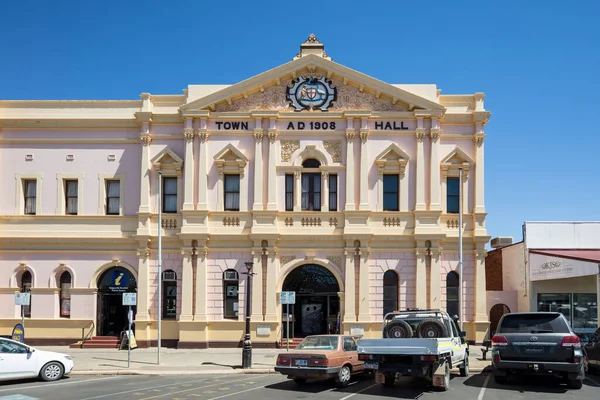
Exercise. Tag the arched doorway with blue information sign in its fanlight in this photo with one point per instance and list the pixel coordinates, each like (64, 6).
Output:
(112, 314)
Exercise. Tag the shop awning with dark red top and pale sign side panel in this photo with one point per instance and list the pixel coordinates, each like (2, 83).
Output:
(558, 264)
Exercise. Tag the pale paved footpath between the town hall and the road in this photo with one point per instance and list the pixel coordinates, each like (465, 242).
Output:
(186, 362)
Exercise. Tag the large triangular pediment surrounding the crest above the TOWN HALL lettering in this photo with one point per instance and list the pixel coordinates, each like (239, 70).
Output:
(354, 90)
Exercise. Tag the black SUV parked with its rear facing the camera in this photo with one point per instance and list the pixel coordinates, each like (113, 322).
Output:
(537, 343)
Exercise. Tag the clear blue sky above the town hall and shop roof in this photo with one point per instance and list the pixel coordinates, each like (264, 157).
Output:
(537, 62)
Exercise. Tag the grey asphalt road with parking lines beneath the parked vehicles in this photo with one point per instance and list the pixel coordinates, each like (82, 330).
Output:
(277, 387)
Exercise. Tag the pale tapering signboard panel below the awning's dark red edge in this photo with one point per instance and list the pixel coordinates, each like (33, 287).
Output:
(543, 267)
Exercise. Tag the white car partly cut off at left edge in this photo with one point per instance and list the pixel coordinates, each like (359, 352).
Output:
(21, 361)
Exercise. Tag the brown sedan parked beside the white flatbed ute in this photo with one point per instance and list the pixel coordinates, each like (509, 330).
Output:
(321, 356)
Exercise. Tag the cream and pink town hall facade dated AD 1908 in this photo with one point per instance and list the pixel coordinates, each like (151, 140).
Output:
(323, 177)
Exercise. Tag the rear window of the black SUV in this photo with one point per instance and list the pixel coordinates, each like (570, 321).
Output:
(533, 323)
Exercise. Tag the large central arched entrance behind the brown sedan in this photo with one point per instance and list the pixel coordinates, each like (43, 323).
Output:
(317, 305)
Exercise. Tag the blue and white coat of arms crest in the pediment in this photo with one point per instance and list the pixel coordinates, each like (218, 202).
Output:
(311, 93)
